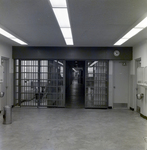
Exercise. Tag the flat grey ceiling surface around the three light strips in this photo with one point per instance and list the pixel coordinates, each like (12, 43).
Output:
(93, 22)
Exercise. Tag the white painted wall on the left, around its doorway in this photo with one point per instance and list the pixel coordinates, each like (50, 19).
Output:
(6, 51)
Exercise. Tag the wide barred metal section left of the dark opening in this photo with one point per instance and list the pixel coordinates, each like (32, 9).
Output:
(39, 83)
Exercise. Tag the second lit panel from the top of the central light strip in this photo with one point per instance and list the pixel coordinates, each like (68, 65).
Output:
(62, 17)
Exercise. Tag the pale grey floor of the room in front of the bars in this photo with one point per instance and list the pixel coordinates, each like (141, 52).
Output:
(73, 129)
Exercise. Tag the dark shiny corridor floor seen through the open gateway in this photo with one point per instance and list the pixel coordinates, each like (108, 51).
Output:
(75, 95)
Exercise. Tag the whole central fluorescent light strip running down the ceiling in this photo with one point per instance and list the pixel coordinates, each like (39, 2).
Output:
(61, 13)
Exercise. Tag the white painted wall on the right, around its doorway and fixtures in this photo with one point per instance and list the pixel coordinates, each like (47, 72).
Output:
(139, 51)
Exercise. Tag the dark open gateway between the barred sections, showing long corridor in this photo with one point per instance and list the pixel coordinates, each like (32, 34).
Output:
(75, 84)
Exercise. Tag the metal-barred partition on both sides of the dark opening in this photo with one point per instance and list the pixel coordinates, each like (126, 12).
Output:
(41, 83)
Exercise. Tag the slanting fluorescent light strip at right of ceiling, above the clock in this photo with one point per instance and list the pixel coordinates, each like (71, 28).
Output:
(139, 27)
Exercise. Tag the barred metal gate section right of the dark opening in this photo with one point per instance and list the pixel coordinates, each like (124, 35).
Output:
(96, 81)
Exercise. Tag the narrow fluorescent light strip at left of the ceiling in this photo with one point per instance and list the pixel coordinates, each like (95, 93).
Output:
(11, 37)
